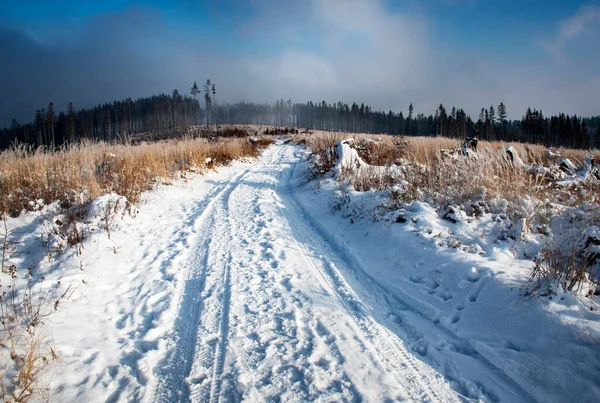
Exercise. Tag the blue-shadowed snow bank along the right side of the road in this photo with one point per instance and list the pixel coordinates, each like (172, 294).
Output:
(455, 288)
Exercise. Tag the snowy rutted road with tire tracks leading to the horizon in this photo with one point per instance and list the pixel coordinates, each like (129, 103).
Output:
(266, 314)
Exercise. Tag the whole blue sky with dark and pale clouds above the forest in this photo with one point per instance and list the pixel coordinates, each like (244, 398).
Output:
(386, 53)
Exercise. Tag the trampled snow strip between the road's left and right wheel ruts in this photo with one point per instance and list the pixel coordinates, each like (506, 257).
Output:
(283, 351)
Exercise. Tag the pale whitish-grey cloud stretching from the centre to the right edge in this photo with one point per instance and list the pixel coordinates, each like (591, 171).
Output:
(389, 59)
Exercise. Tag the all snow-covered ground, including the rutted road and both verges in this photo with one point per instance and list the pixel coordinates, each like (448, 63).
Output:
(252, 283)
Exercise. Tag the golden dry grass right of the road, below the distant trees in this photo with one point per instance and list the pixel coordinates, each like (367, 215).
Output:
(444, 181)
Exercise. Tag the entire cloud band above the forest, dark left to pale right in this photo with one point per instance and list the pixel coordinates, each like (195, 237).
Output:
(332, 50)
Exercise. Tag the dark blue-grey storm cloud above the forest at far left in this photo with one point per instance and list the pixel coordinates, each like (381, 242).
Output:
(105, 61)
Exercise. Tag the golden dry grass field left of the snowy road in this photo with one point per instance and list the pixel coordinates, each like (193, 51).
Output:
(77, 174)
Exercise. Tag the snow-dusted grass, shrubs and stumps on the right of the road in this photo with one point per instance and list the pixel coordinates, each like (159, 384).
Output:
(526, 189)
